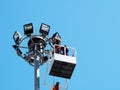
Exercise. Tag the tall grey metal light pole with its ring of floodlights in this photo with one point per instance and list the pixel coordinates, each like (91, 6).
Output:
(35, 54)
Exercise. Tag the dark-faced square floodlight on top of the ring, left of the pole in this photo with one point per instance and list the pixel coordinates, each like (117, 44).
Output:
(28, 29)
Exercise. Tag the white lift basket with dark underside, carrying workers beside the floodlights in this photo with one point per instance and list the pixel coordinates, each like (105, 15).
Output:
(63, 64)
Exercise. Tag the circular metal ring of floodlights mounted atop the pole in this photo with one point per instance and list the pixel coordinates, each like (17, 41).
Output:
(36, 43)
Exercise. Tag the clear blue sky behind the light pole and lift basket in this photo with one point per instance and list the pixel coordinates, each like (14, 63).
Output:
(90, 26)
